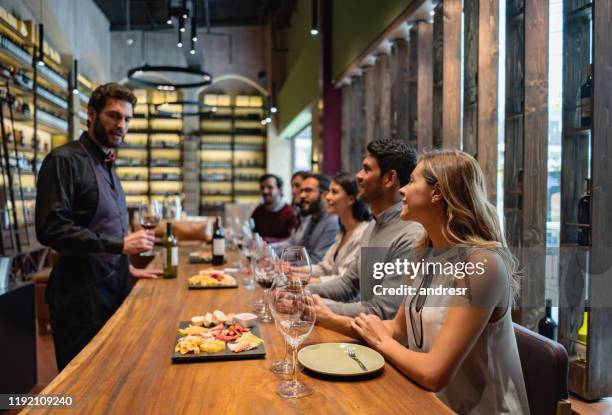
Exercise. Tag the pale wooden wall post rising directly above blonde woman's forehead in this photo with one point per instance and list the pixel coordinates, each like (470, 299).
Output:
(451, 88)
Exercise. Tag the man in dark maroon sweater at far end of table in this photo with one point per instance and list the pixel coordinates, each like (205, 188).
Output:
(274, 219)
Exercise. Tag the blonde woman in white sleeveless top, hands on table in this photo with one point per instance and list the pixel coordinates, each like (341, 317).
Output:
(460, 346)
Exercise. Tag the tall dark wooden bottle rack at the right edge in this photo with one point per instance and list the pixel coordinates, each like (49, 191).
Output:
(585, 218)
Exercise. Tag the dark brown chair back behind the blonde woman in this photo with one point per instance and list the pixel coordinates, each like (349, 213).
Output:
(545, 369)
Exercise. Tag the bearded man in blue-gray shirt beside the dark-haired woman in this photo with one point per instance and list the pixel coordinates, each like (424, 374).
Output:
(318, 229)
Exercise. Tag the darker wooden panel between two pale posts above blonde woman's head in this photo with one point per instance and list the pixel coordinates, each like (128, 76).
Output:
(470, 77)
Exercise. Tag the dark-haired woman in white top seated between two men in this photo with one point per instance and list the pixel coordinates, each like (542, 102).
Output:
(354, 218)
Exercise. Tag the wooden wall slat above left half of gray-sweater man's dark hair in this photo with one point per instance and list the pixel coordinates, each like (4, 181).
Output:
(382, 94)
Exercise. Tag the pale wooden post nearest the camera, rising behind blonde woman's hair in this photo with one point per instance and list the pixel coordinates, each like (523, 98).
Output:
(488, 80)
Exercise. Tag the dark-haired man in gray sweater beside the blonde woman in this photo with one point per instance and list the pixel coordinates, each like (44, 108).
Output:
(385, 169)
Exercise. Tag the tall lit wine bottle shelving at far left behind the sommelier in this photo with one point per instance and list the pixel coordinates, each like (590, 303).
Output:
(38, 116)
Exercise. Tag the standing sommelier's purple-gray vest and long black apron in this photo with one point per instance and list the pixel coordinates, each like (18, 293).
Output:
(85, 289)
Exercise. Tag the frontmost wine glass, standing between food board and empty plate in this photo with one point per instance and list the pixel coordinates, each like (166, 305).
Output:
(295, 313)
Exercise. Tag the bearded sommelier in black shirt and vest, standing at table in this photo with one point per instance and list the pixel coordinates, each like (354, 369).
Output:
(81, 213)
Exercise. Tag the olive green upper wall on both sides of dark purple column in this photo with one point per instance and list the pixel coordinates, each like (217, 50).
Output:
(355, 25)
